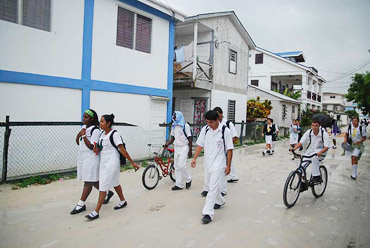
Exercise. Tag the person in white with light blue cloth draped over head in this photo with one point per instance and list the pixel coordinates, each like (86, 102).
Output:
(182, 139)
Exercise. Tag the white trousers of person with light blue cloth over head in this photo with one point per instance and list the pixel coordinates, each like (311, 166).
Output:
(181, 171)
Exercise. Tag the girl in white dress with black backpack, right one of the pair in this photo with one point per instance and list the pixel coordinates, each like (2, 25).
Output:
(110, 164)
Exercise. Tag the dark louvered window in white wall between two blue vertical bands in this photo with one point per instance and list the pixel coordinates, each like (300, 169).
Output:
(134, 31)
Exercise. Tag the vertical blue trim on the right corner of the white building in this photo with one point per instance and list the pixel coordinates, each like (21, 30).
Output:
(171, 51)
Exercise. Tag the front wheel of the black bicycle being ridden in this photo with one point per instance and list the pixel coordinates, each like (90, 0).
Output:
(292, 189)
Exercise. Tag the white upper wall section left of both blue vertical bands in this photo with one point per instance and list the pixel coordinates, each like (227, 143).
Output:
(55, 53)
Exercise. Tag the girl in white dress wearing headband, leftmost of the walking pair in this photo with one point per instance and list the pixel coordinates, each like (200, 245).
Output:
(88, 161)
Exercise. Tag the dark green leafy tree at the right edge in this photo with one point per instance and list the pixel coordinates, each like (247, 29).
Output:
(359, 92)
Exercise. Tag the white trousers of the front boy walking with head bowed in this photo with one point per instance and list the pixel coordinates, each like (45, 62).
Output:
(214, 193)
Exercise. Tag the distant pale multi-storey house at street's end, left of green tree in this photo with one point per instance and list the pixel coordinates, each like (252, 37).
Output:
(334, 104)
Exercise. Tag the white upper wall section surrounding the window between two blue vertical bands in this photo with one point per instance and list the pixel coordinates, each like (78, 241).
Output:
(117, 64)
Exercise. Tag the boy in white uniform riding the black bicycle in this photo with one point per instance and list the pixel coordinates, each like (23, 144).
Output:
(319, 143)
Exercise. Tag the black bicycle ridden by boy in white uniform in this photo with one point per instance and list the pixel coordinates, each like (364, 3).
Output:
(297, 181)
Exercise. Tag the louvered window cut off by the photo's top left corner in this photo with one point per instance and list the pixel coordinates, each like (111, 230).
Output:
(31, 13)
